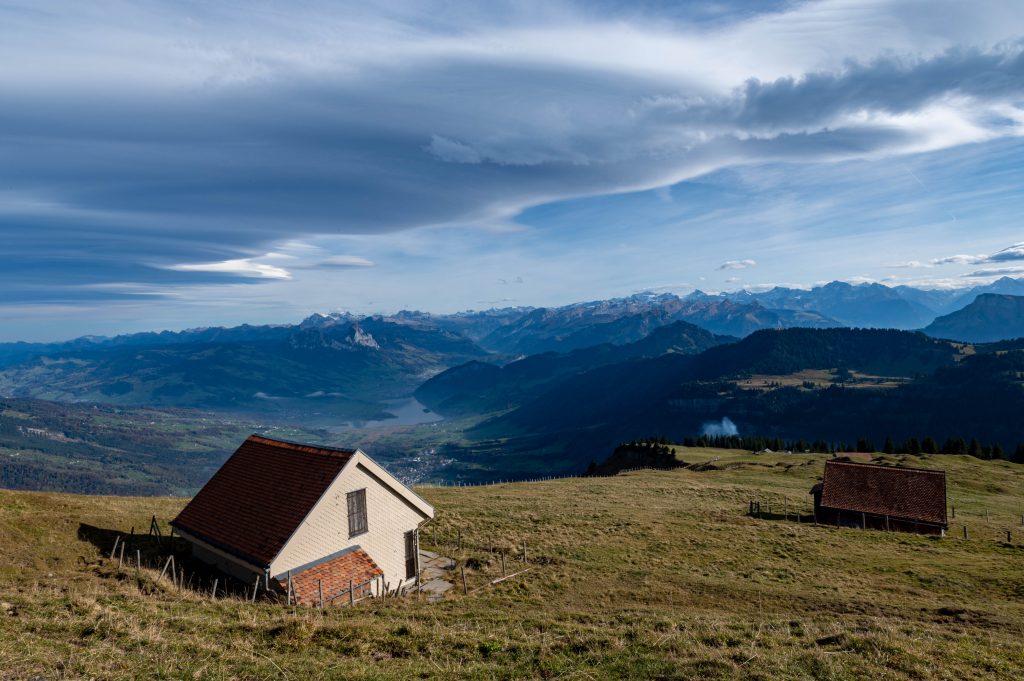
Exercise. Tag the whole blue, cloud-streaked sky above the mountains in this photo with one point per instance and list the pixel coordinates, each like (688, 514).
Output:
(178, 164)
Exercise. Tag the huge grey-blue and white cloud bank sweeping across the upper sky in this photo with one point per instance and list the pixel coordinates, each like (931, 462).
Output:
(166, 143)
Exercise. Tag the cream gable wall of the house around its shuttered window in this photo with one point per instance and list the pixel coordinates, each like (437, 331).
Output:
(325, 532)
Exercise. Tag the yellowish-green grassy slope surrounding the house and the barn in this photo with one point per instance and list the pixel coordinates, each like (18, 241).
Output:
(645, 575)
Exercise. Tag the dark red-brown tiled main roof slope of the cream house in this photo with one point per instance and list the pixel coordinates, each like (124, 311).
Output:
(260, 497)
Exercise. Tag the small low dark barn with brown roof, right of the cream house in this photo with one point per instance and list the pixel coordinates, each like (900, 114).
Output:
(862, 495)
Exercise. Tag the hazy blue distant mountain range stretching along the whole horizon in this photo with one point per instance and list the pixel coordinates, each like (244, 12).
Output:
(345, 367)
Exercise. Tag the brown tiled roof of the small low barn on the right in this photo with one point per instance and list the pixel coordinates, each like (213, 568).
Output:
(912, 494)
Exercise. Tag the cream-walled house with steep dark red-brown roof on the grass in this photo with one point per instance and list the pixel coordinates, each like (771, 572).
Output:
(321, 517)
